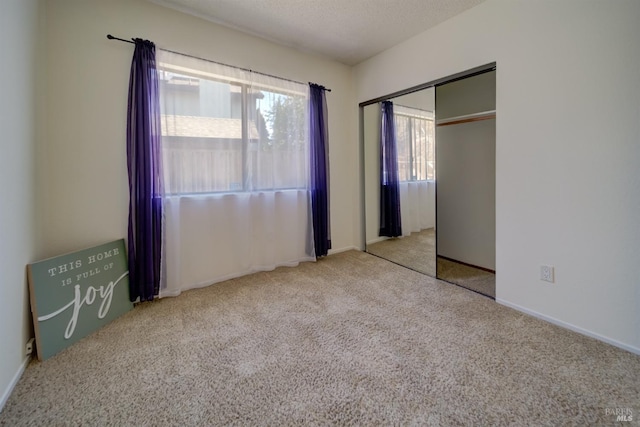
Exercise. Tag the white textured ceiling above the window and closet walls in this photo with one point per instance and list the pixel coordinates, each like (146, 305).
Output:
(348, 31)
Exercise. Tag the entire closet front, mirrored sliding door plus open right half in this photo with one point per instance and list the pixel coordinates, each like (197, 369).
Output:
(446, 232)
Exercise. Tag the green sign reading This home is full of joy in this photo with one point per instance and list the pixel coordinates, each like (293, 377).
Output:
(73, 295)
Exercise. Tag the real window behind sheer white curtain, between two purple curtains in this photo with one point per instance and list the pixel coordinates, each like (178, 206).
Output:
(229, 130)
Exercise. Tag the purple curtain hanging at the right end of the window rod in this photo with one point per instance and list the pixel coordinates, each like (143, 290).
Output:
(319, 147)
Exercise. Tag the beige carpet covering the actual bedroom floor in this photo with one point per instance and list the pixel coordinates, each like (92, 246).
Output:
(349, 340)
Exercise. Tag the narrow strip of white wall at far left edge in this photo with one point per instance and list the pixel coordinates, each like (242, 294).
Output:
(18, 231)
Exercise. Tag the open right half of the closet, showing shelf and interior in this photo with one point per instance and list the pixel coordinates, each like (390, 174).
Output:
(466, 177)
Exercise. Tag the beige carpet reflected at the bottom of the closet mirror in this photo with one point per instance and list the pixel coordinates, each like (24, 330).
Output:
(416, 251)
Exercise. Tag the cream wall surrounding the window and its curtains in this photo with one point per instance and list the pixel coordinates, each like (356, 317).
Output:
(85, 181)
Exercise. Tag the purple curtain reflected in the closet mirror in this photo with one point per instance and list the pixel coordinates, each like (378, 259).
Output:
(390, 224)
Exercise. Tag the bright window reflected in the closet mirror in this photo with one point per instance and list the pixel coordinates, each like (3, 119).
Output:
(415, 140)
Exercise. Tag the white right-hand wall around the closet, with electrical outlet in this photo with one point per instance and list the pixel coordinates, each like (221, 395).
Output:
(567, 177)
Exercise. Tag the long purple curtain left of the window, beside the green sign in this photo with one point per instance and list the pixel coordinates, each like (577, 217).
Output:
(145, 177)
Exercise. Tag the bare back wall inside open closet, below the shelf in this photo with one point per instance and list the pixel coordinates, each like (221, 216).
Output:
(466, 165)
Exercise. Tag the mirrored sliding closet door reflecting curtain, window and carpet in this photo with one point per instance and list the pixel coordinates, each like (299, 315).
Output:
(414, 122)
